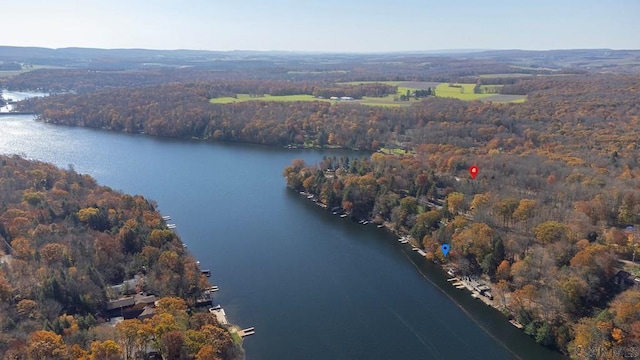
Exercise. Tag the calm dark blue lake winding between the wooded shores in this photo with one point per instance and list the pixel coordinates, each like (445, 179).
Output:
(315, 286)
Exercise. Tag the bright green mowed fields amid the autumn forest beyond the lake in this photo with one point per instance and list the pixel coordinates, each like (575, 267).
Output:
(443, 90)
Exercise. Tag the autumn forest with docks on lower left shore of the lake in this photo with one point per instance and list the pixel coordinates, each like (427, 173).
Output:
(65, 241)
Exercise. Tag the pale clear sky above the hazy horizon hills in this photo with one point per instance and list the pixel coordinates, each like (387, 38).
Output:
(323, 25)
